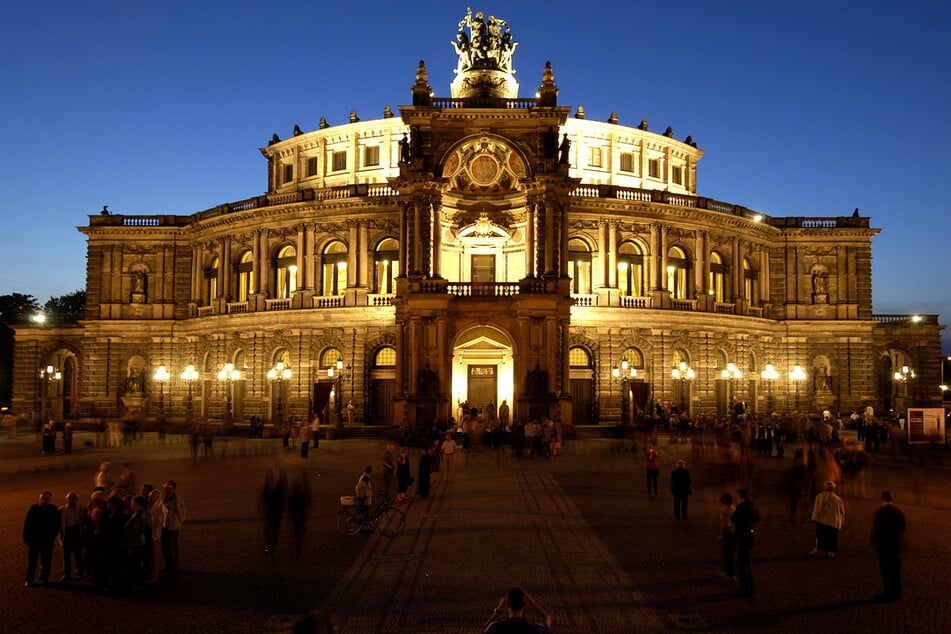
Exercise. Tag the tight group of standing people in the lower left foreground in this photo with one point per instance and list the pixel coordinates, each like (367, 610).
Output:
(120, 540)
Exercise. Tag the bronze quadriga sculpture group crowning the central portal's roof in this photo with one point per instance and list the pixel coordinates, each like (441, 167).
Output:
(487, 45)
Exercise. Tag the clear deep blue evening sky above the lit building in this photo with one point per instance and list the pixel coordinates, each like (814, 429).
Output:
(804, 108)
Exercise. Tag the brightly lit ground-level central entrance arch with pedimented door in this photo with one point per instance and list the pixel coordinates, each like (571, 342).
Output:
(482, 369)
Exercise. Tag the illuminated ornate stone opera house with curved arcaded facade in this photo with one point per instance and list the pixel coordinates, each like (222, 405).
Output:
(472, 250)
